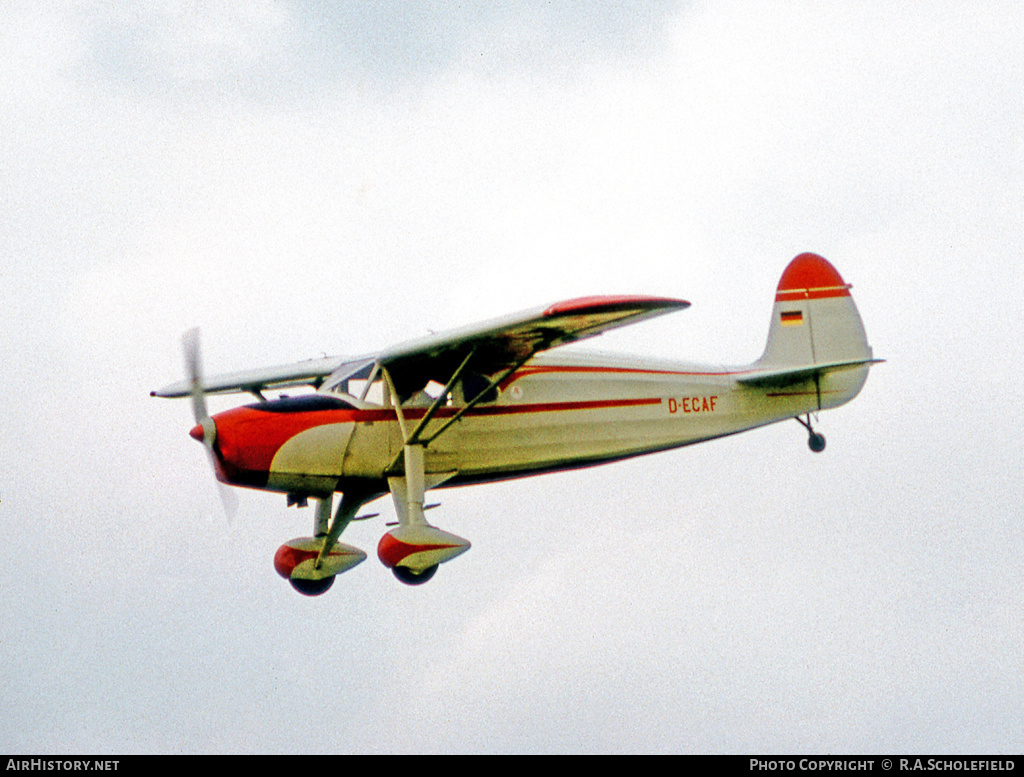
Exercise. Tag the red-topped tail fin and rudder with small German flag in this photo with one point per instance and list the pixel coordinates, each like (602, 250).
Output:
(817, 336)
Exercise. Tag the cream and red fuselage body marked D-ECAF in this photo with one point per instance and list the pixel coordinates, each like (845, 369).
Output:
(559, 411)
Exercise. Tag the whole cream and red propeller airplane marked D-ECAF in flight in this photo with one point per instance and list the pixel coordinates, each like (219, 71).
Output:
(498, 401)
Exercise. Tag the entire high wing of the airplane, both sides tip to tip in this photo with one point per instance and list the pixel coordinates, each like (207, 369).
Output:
(494, 347)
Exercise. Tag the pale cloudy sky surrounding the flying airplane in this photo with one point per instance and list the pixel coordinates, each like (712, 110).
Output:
(302, 180)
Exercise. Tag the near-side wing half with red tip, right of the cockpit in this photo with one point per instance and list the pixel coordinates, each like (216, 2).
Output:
(503, 344)
